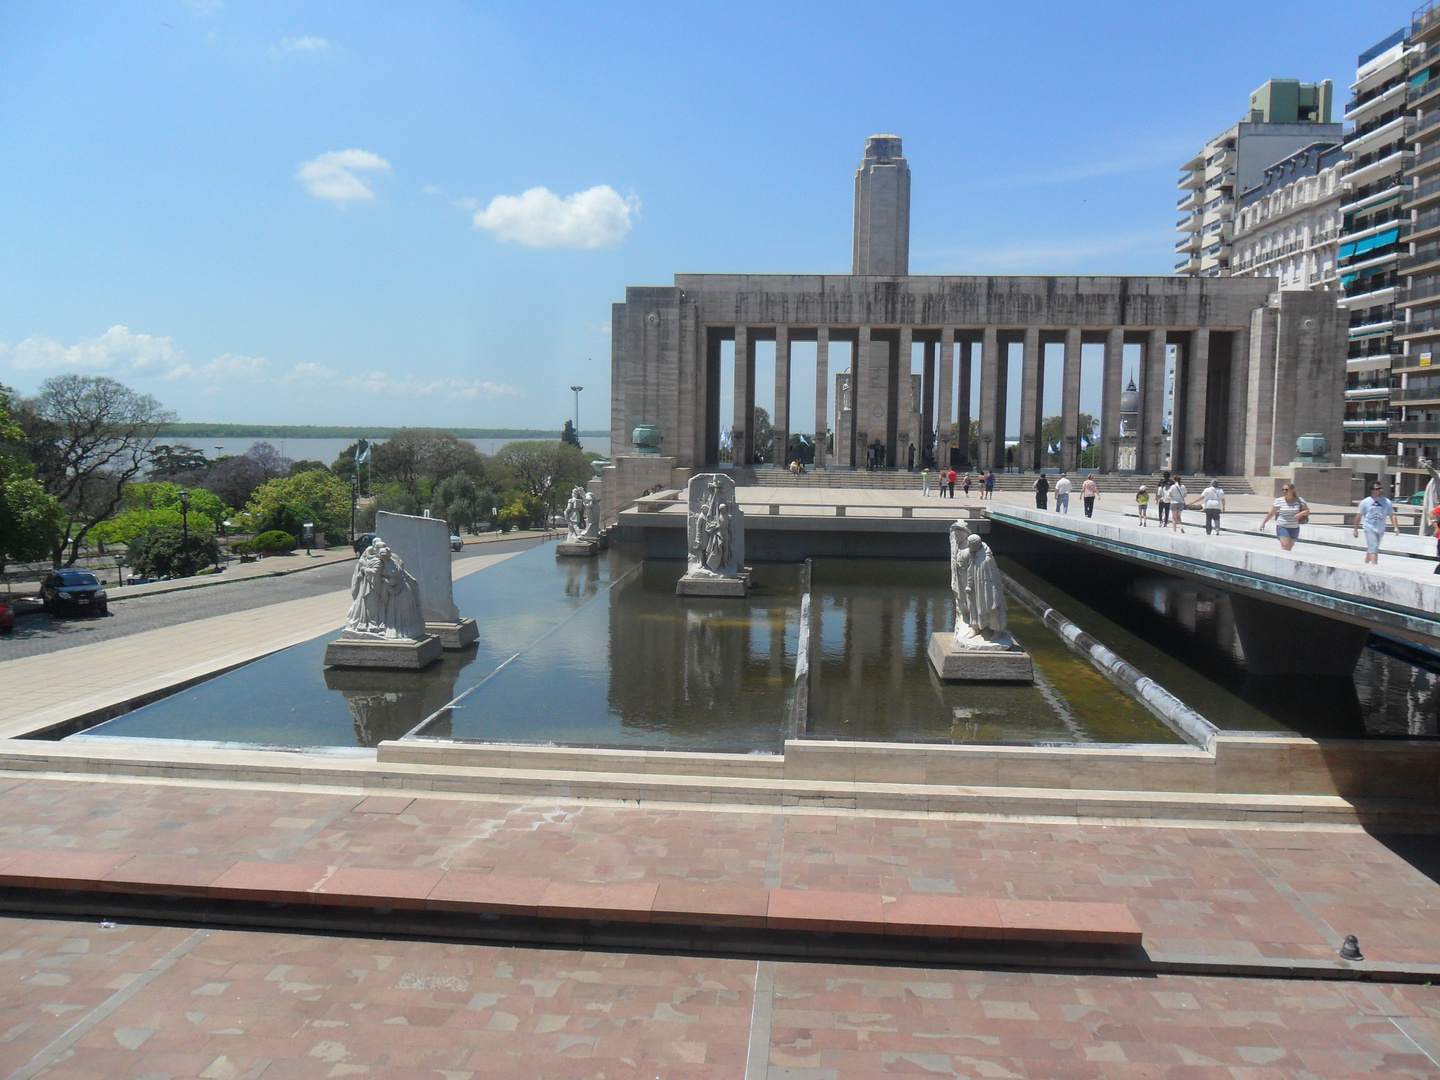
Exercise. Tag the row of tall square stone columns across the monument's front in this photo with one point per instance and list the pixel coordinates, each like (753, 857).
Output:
(882, 364)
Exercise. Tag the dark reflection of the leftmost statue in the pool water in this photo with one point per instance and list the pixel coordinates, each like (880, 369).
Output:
(387, 705)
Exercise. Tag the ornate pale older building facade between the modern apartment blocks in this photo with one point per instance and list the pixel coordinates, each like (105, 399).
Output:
(1290, 224)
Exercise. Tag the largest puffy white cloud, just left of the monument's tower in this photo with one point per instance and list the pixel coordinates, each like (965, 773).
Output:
(539, 218)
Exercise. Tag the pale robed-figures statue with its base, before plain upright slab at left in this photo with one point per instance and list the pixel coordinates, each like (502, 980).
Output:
(385, 626)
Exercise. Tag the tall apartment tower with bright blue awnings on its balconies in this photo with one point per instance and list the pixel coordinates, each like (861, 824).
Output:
(1372, 244)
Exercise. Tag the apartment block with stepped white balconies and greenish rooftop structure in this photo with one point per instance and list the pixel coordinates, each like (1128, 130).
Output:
(1285, 116)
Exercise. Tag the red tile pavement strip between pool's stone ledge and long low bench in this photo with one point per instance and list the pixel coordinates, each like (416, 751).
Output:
(1223, 894)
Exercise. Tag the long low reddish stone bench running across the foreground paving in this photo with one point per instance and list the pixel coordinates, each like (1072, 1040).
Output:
(541, 898)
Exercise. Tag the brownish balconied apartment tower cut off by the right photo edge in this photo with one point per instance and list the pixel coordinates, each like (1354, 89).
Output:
(1415, 378)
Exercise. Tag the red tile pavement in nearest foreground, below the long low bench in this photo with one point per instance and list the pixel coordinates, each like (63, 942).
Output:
(241, 1004)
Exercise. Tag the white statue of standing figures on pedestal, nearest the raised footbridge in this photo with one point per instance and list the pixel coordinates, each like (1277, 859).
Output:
(980, 649)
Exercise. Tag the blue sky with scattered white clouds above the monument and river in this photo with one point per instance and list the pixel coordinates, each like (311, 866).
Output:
(319, 212)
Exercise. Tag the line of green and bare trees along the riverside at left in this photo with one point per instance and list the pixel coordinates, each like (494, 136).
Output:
(83, 467)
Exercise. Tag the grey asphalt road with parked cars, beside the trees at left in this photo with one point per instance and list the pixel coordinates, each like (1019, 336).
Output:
(40, 633)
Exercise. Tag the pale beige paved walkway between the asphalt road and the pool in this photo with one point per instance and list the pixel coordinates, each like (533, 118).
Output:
(96, 680)
